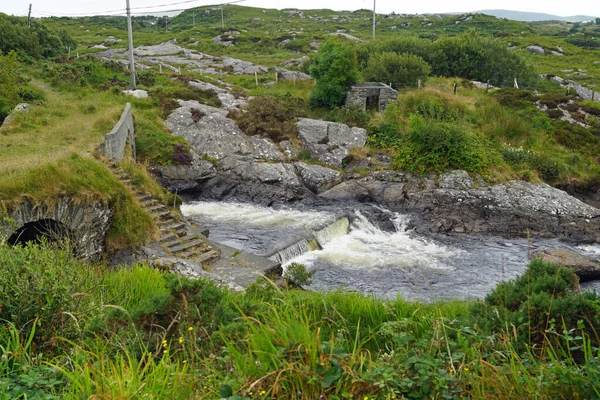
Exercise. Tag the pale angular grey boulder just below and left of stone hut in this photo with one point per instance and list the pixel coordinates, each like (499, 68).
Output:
(329, 142)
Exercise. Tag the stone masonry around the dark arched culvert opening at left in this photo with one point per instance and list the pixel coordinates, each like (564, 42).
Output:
(85, 225)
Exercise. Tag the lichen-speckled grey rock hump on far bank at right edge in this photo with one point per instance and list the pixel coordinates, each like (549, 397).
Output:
(515, 208)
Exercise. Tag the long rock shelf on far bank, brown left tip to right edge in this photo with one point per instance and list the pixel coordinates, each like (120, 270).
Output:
(457, 203)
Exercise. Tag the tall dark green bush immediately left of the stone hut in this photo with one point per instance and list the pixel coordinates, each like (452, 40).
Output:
(334, 69)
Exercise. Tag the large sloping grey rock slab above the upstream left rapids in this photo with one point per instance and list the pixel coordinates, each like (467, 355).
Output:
(240, 171)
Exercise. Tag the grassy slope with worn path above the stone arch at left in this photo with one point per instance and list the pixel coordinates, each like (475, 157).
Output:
(50, 150)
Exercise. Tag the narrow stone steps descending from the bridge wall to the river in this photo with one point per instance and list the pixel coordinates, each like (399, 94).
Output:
(175, 236)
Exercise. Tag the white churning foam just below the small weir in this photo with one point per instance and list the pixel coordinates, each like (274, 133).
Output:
(367, 246)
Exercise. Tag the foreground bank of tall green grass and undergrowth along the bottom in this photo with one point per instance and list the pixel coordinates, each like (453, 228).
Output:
(138, 332)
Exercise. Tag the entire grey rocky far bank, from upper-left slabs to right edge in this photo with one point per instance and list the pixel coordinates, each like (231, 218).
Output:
(229, 165)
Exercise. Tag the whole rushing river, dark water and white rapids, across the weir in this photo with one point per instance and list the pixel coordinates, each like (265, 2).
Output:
(369, 260)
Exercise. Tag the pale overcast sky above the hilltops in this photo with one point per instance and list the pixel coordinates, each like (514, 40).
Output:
(77, 7)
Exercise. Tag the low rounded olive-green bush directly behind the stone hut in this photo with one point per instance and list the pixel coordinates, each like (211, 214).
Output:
(401, 70)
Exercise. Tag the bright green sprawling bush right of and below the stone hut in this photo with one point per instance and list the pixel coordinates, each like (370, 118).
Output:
(438, 146)
